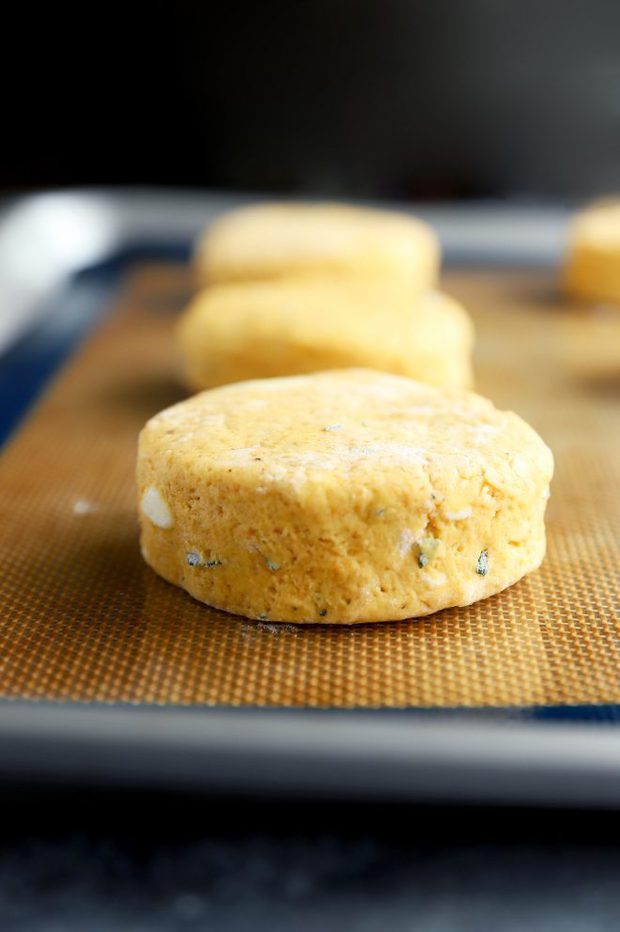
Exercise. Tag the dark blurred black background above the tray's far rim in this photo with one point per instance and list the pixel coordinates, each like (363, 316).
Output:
(412, 99)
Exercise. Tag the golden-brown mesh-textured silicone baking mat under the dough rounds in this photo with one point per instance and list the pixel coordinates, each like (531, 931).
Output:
(82, 618)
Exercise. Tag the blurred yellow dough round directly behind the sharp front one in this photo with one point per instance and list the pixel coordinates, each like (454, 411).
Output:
(259, 330)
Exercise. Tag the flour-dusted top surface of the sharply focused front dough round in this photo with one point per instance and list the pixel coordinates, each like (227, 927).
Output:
(352, 425)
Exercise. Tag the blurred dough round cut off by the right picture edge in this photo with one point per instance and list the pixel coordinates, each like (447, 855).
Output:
(592, 271)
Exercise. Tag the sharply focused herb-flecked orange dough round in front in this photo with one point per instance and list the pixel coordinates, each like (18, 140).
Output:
(341, 497)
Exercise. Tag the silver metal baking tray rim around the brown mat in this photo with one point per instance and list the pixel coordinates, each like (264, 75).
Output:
(537, 755)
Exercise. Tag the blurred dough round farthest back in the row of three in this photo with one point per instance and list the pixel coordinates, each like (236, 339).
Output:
(282, 240)
